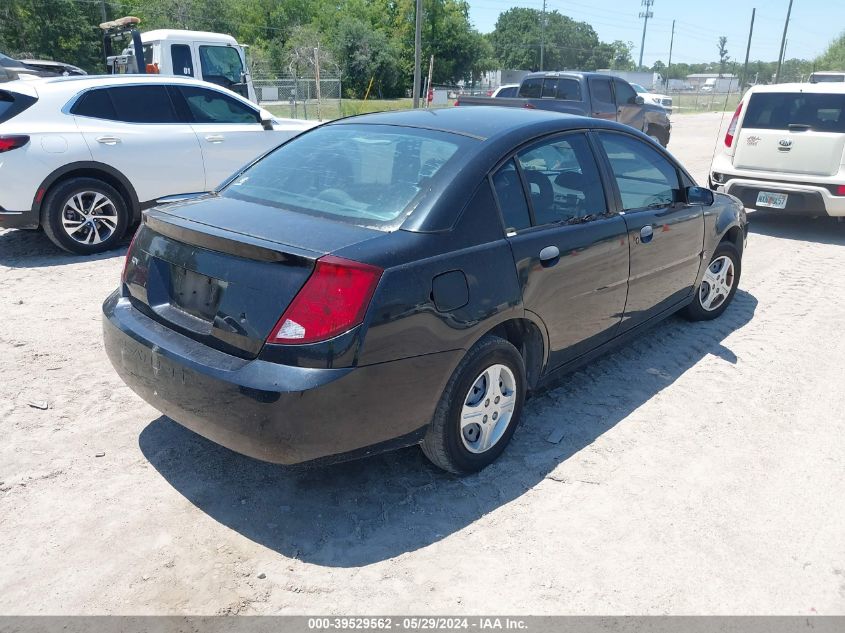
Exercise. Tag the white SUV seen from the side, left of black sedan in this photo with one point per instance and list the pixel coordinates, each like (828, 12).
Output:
(83, 156)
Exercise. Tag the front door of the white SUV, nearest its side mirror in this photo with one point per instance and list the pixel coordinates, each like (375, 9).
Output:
(229, 131)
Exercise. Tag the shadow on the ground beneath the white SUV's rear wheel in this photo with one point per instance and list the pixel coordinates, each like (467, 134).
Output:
(32, 249)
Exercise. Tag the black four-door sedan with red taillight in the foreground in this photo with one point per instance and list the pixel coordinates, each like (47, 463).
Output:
(409, 277)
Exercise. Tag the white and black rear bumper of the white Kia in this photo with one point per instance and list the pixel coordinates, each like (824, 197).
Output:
(803, 198)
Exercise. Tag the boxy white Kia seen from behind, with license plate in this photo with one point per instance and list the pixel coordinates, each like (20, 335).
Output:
(785, 150)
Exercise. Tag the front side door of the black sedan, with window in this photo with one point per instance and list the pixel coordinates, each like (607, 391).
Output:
(666, 235)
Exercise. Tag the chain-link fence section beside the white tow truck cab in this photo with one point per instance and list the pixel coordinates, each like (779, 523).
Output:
(301, 95)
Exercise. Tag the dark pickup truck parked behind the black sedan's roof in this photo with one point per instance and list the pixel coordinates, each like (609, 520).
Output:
(589, 94)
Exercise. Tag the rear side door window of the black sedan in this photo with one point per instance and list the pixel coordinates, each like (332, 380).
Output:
(563, 179)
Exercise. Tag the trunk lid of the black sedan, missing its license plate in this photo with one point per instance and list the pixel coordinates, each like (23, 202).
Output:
(223, 271)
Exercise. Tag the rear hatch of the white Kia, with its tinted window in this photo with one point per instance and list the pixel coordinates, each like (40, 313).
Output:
(792, 132)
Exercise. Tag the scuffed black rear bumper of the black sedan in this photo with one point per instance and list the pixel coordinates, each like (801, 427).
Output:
(268, 411)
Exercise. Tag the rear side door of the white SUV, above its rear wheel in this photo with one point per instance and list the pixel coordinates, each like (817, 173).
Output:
(136, 130)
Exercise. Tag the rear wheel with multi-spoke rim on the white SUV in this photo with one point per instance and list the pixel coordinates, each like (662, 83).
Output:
(84, 216)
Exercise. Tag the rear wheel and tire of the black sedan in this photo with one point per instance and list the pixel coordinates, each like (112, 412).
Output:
(479, 409)
